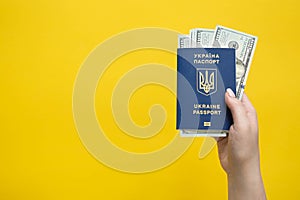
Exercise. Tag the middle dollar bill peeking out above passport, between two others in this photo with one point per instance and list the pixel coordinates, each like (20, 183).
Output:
(201, 37)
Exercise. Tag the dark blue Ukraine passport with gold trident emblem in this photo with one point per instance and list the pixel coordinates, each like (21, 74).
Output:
(203, 75)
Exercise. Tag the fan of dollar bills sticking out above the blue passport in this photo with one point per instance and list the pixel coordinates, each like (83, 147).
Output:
(223, 37)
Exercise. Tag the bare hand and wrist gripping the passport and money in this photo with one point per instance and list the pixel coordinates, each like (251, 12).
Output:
(239, 151)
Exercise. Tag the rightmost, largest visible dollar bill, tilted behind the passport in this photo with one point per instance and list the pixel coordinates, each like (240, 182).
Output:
(244, 44)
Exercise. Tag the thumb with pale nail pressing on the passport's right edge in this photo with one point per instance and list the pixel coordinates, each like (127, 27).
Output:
(236, 107)
